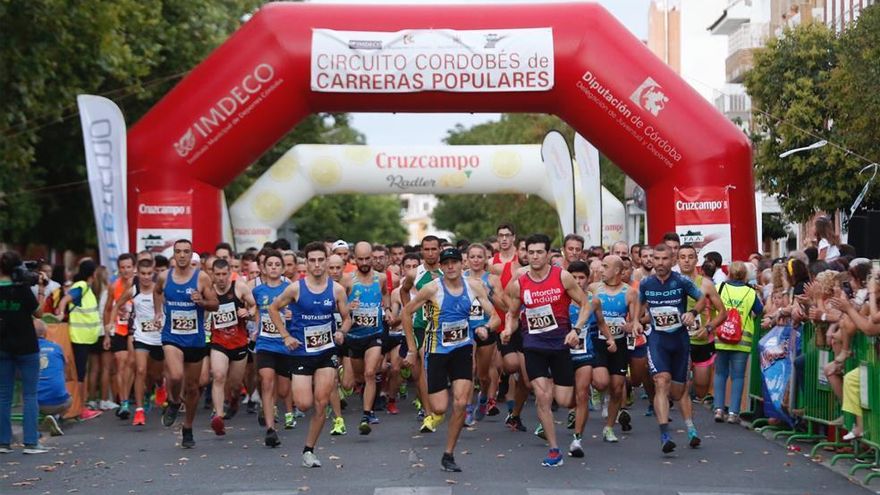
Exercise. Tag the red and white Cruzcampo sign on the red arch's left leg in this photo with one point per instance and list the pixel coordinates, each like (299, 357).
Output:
(162, 218)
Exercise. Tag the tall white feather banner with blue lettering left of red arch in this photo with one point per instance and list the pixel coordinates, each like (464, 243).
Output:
(104, 139)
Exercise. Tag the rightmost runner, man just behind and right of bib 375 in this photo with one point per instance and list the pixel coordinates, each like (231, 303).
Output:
(702, 339)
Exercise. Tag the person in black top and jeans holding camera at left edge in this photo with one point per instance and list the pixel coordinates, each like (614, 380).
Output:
(19, 351)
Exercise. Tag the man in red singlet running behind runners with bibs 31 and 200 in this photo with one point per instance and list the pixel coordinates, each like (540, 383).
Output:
(505, 264)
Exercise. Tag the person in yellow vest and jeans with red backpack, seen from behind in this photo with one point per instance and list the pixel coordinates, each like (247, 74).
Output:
(731, 358)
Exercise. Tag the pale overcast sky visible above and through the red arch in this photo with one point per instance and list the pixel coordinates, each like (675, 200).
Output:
(428, 129)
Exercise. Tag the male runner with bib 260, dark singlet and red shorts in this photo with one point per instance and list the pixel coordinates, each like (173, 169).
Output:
(229, 341)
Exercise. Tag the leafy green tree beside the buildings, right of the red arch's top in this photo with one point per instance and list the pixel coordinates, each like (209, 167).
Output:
(789, 86)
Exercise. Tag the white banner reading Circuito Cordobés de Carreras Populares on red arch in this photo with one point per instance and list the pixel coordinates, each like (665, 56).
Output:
(415, 60)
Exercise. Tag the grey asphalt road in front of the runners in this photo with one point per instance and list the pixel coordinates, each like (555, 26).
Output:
(107, 455)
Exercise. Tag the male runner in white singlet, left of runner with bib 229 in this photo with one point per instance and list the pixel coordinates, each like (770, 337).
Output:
(148, 353)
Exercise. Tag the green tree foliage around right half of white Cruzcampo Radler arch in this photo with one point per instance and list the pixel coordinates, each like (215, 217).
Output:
(475, 217)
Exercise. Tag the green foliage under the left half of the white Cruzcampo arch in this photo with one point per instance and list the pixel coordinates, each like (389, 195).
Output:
(352, 217)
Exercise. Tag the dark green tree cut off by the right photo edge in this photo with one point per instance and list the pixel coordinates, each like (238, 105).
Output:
(855, 84)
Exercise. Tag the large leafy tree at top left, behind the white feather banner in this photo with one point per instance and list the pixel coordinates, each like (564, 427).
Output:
(131, 51)
